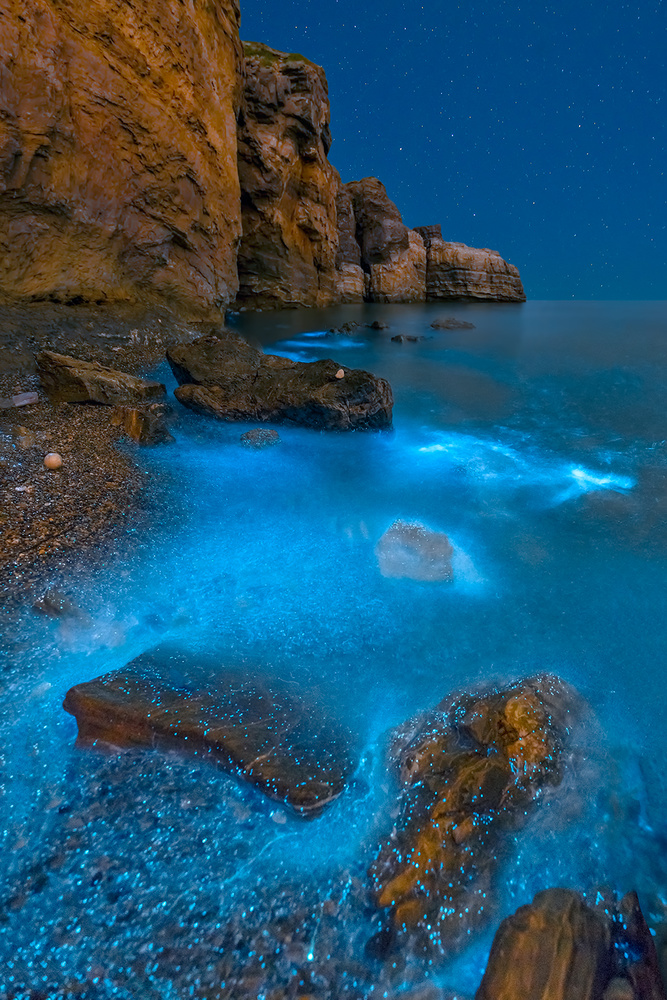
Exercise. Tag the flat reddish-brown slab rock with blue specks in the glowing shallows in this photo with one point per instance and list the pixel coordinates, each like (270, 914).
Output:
(171, 700)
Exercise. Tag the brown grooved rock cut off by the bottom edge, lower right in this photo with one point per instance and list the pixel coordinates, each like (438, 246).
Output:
(555, 949)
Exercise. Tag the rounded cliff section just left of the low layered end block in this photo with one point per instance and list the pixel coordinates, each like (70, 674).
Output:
(393, 256)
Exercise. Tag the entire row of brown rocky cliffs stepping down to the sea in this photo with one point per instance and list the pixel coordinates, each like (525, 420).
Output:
(147, 156)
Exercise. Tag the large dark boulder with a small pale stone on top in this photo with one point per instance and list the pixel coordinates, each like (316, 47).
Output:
(226, 378)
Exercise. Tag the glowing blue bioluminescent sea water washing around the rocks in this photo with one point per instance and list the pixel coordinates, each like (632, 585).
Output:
(537, 443)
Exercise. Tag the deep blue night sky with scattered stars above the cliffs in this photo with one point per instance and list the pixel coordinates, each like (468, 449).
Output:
(536, 129)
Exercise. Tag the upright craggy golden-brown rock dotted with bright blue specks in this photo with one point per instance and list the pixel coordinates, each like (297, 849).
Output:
(470, 771)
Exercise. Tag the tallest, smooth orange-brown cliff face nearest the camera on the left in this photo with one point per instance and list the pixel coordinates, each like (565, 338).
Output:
(118, 175)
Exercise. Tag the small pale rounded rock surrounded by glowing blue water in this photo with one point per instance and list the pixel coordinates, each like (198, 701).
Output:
(413, 551)
